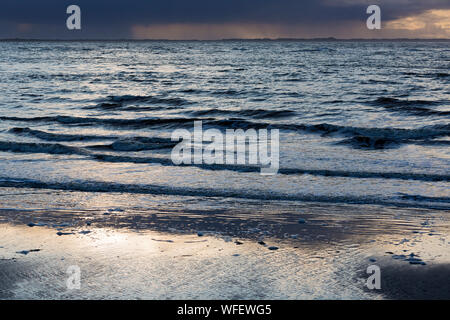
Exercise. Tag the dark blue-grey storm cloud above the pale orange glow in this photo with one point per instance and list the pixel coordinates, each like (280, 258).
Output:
(46, 18)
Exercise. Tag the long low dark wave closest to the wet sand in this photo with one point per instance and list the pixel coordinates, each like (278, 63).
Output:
(111, 187)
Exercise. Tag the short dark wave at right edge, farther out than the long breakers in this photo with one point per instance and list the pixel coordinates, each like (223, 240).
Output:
(415, 107)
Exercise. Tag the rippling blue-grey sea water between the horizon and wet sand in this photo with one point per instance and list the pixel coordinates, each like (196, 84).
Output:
(88, 124)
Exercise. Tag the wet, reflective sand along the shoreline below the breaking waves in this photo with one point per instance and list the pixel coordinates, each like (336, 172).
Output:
(218, 255)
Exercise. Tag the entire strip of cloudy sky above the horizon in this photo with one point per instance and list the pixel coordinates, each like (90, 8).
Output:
(224, 19)
